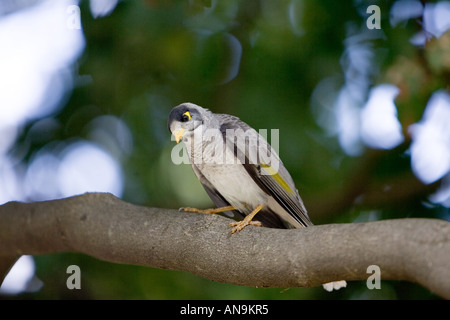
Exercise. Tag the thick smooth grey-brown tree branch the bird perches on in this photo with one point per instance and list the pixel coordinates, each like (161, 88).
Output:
(107, 228)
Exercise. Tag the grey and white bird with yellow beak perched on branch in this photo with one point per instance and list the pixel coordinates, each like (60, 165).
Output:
(239, 170)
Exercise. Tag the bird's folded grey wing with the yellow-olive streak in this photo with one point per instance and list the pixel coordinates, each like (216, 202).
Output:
(264, 166)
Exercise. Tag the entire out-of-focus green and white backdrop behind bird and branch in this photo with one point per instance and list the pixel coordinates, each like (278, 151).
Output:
(361, 102)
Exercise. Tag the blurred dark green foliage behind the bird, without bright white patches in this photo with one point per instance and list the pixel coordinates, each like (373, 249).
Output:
(261, 61)
